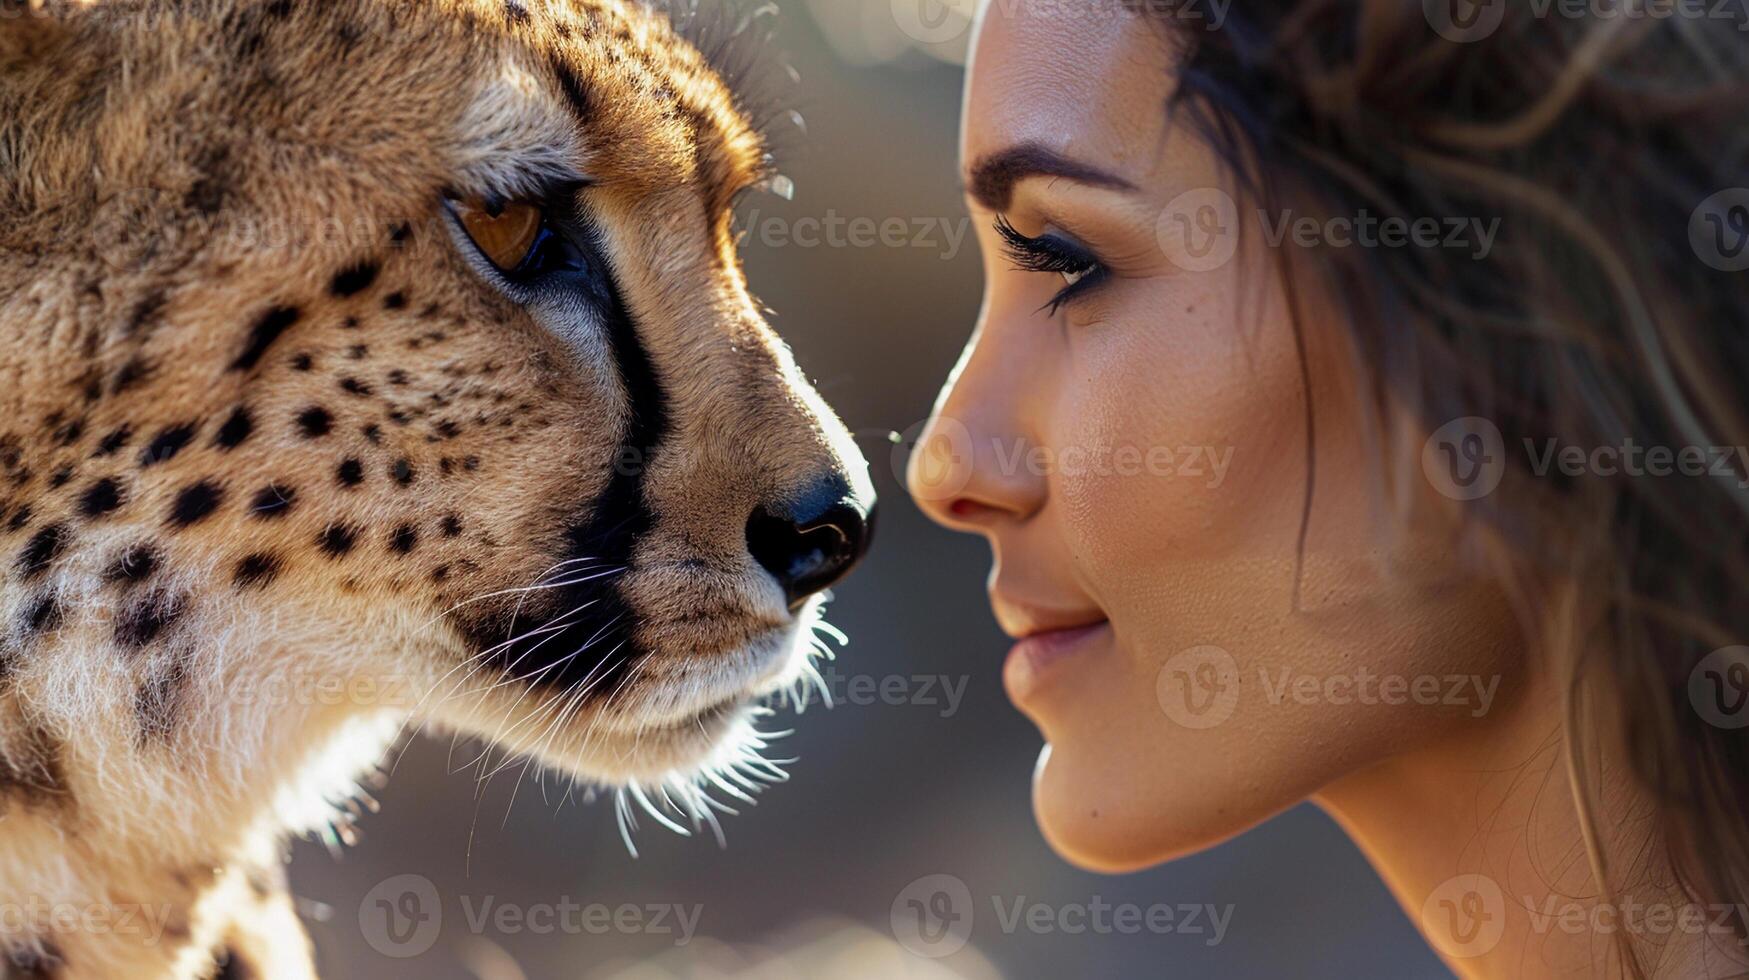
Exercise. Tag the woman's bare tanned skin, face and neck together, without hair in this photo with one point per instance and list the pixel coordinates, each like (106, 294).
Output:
(1138, 463)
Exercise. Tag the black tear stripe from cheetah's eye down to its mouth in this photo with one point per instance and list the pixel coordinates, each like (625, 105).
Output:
(597, 645)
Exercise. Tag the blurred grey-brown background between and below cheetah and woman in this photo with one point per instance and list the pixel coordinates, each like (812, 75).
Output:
(905, 843)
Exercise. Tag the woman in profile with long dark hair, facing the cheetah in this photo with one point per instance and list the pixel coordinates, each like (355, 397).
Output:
(1328, 421)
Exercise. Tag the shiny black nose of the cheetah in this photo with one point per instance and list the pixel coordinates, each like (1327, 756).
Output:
(816, 542)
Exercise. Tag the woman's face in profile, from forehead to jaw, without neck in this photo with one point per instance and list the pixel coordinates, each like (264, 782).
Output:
(1129, 430)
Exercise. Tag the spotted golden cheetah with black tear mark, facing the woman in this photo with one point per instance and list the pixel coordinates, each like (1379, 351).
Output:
(365, 368)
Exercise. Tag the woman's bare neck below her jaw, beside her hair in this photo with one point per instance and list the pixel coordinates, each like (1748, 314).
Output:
(1484, 843)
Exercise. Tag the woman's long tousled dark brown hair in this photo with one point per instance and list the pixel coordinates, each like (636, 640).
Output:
(1598, 318)
